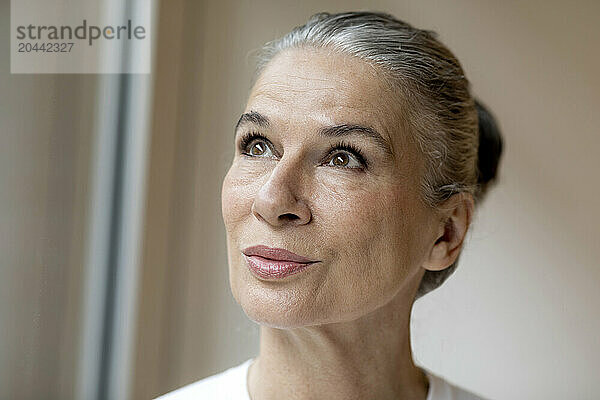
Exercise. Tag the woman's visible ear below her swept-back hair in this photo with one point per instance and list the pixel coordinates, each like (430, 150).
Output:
(454, 220)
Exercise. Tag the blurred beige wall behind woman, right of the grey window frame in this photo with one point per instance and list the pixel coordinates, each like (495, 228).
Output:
(519, 319)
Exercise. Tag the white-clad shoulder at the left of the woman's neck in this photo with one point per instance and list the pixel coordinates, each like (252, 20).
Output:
(229, 384)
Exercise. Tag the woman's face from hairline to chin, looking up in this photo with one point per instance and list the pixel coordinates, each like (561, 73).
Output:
(323, 169)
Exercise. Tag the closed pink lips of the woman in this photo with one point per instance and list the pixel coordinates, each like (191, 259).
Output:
(274, 263)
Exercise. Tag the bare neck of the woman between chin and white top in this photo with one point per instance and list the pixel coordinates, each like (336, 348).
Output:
(366, 358)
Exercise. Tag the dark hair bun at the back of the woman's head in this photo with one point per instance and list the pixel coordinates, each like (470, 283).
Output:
(490, 148)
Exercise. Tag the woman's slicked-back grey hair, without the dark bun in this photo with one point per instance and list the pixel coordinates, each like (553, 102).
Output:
(439, 111)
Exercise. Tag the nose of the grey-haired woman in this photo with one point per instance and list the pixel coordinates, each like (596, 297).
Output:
(277, 201)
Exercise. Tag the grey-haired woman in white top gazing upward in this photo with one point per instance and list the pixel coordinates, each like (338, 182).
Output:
(353, 185)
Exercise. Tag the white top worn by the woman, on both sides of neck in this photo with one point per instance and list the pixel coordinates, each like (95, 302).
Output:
(231, 385)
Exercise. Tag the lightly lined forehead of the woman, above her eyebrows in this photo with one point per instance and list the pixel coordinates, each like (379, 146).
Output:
(322, 87)
